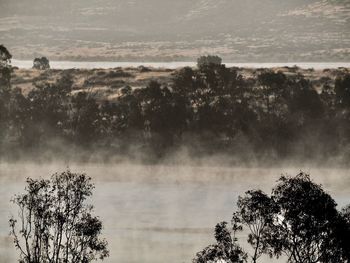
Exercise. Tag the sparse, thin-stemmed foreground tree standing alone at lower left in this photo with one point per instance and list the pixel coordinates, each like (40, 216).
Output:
(54, 222)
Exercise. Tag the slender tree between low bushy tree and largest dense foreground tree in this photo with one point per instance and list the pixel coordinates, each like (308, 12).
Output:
(256, 211)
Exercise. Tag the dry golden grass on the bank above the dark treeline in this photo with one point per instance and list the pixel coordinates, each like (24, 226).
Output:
(105, 83)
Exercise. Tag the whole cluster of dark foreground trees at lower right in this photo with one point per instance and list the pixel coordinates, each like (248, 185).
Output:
(299, 222)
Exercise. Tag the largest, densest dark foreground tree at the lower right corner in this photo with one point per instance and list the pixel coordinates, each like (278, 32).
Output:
(306, 223)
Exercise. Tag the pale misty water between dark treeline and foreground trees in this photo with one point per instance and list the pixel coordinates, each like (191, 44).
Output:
(153, 213)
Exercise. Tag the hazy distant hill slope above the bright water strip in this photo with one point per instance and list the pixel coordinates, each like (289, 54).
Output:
(244, 30)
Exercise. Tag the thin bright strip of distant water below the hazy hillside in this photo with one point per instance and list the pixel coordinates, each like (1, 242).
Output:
(26, 64)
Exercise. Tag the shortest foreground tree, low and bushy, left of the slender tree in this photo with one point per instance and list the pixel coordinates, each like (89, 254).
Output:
(226, 248)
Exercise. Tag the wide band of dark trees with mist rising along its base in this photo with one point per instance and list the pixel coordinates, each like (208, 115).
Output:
(211, 109)
